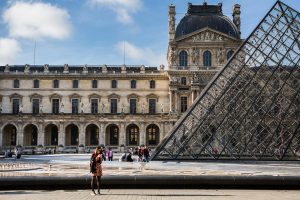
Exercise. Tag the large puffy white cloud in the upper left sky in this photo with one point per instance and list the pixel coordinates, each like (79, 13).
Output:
(36, 21)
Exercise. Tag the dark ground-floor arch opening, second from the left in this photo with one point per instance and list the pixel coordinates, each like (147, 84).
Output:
(30, 135)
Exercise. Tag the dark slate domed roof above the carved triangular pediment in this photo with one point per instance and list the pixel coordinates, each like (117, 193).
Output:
(202, 16)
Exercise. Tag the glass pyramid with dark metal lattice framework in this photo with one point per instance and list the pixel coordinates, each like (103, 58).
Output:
(251, 108)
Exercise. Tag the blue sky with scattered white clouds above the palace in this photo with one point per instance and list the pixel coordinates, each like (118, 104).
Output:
(95, 32)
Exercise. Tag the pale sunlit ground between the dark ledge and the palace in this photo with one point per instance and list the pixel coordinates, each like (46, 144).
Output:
(78, 165)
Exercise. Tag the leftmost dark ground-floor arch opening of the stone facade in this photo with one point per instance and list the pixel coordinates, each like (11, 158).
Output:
(9, 135)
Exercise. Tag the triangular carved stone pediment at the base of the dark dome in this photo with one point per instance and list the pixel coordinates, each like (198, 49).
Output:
(206, 35)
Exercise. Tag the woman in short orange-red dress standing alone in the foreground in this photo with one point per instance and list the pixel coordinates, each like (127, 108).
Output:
(96, 169)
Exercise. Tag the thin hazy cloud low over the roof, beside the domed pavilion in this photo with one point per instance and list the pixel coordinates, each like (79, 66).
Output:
(144, 56)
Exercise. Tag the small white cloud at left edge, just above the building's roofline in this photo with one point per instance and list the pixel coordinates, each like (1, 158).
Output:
(9, 49)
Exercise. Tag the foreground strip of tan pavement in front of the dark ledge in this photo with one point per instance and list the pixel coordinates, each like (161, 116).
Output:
(152, 194)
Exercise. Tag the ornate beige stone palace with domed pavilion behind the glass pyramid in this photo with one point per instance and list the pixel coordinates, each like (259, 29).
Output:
(126, 106)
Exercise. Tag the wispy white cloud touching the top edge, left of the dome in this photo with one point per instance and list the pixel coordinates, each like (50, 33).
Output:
(123, 8)
